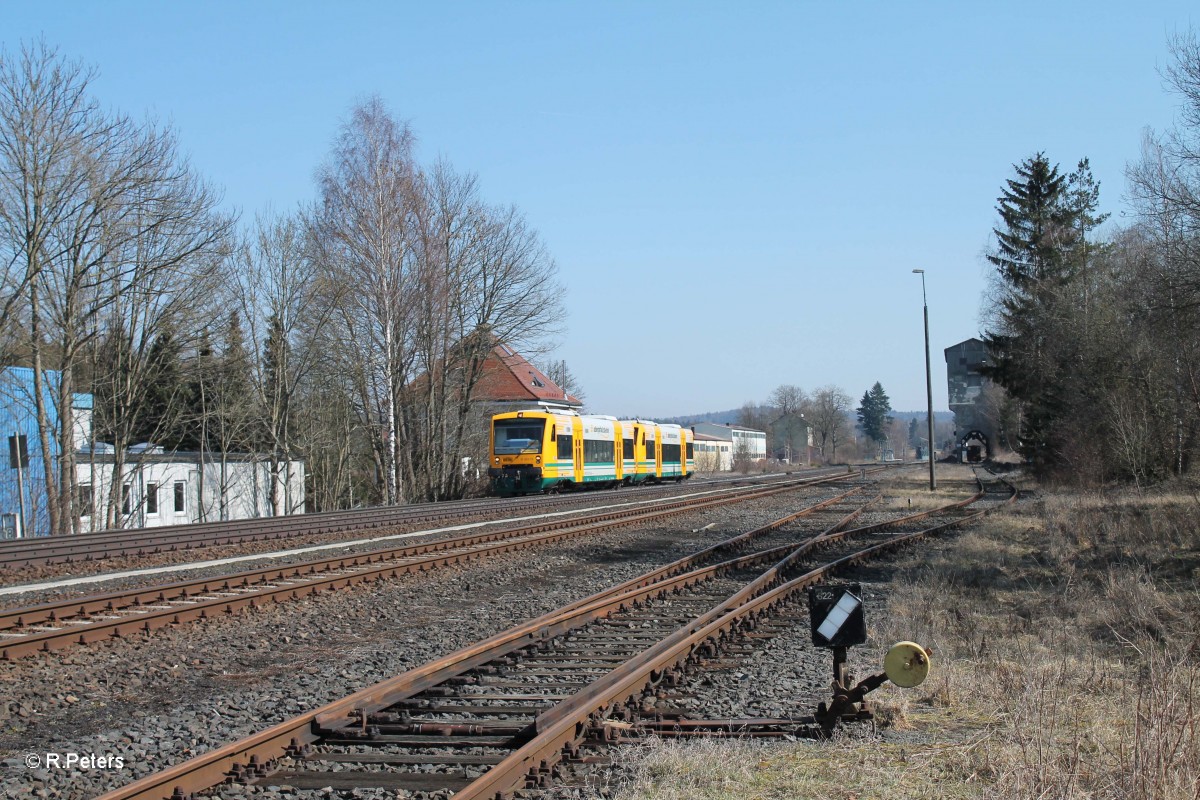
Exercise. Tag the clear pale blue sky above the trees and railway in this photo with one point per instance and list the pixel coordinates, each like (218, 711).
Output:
(769, 173)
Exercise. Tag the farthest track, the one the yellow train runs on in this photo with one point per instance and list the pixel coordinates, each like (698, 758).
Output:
(86, 549)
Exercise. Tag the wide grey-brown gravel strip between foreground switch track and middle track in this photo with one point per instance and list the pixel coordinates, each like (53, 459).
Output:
(159, 700)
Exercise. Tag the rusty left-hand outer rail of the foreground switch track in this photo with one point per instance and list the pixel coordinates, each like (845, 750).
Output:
(293, 736)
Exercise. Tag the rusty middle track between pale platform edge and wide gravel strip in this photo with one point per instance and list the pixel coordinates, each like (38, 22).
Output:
(82, 621)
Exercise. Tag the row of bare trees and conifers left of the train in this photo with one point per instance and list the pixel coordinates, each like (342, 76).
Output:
(350, 334)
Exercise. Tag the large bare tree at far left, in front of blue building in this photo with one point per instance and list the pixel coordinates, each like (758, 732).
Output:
(94, 208)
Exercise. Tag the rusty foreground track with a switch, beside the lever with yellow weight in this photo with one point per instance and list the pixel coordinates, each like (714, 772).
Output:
(515, 711)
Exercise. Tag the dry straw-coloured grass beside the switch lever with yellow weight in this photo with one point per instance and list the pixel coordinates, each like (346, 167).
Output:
(1066, 637)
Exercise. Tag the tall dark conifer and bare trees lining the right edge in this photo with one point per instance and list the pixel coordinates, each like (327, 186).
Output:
(1096, 339)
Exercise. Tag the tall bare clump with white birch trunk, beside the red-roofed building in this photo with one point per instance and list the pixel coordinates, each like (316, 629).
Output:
(434, 279)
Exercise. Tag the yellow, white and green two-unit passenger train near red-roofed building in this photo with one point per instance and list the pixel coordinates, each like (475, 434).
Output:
(544, 450)
